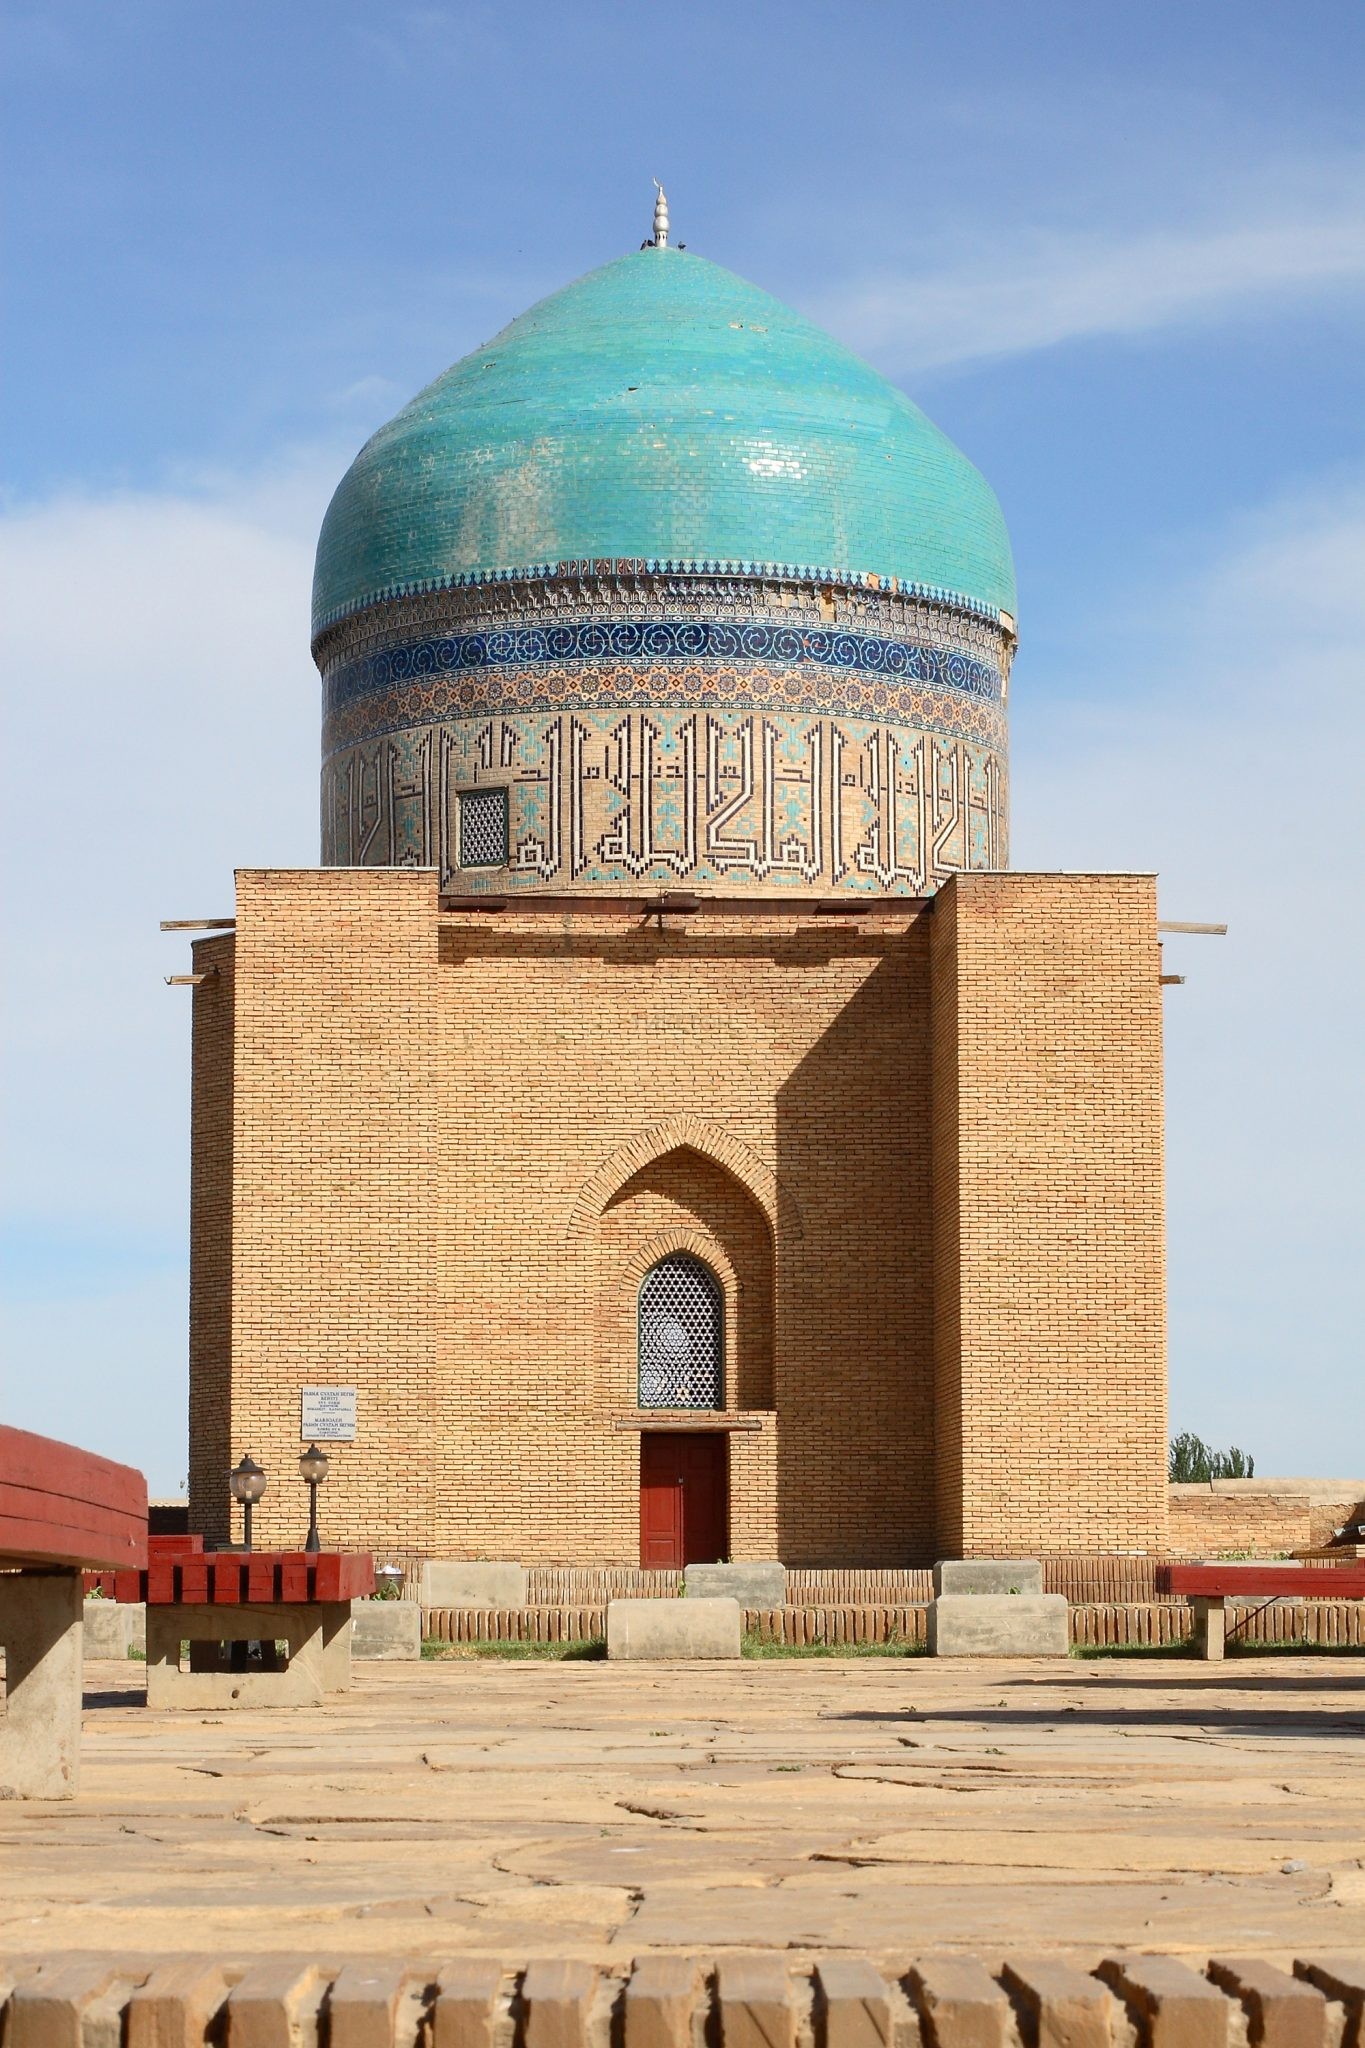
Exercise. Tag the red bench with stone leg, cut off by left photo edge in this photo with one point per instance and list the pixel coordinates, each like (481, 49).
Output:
(62, 1510)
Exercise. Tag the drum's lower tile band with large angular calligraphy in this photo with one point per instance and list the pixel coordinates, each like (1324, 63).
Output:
(631, 798)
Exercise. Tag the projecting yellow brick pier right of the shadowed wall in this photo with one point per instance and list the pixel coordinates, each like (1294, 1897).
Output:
(1049, 1213)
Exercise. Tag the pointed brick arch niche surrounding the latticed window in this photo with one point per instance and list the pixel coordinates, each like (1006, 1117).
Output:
(687, 1201)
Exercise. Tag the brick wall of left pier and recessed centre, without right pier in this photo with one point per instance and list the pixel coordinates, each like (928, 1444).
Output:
(455, 1136)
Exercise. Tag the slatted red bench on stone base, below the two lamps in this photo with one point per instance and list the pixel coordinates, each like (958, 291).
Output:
(224, 1601)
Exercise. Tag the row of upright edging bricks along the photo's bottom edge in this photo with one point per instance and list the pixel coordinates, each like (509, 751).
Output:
(754, 2000)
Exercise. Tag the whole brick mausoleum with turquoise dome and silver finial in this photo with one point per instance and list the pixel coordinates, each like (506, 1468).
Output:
(664, 1109)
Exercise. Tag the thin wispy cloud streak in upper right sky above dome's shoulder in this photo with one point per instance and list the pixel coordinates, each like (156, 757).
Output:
(1045, 288)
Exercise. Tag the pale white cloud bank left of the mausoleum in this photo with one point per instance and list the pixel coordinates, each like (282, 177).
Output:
(161, 728)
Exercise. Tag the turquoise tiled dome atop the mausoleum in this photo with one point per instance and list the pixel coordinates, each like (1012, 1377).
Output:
(666, 411)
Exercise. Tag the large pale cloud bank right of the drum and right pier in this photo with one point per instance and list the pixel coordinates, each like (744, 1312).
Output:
(1215, 732)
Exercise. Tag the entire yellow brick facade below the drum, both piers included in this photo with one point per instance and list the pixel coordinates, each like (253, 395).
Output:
(920, 1146)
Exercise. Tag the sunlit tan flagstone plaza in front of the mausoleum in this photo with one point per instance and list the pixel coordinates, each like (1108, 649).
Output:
(588, 1809)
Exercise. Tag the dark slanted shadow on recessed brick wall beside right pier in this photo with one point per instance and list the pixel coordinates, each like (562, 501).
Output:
(854, 1291)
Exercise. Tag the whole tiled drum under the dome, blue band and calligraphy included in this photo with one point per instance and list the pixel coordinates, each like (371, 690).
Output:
(662, 730)
